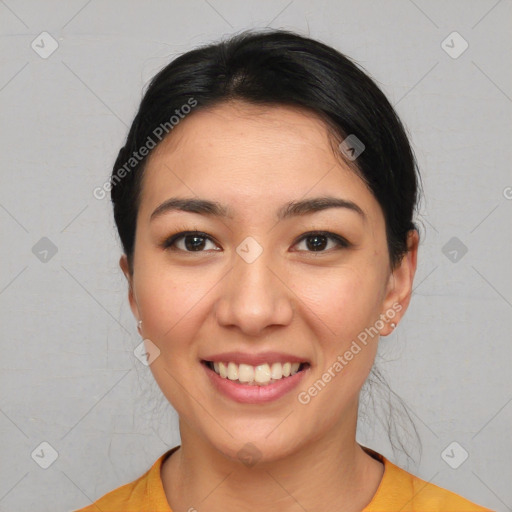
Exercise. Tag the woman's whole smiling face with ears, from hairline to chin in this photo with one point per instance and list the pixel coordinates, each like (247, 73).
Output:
(260, 282)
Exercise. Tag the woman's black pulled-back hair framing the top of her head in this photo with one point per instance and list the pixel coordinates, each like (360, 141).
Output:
(282, 68)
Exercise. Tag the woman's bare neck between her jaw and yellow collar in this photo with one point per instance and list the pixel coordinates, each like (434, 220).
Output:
(333, 472)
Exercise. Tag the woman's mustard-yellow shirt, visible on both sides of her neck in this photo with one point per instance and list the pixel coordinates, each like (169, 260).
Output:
(398, 491)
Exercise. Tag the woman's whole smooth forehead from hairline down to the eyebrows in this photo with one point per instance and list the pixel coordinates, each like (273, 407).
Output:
(249, 156)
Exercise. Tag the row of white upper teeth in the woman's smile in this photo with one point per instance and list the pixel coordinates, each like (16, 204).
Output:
(261, 374)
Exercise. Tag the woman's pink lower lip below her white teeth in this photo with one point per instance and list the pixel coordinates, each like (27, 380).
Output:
(248, 394)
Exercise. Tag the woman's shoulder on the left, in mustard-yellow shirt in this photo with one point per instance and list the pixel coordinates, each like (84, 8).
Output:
(143, 494)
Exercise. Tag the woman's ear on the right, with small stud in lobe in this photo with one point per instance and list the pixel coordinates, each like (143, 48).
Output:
(399, 286)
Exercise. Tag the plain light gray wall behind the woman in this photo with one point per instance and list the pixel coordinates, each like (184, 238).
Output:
(68, 373)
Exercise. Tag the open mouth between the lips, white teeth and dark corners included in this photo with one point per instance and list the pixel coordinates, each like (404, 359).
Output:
(264, 374)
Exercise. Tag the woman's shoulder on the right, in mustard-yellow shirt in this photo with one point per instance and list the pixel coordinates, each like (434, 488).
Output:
(401, 490)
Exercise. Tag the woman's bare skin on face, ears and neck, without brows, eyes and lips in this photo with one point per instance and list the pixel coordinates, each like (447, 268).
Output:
(291, 299)
